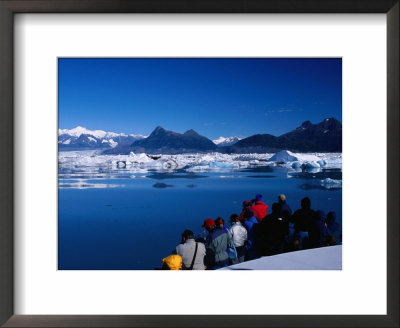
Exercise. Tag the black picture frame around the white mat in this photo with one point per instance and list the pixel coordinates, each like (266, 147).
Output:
(10, 7)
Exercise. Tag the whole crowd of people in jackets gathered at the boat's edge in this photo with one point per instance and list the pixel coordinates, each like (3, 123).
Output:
(255, 233)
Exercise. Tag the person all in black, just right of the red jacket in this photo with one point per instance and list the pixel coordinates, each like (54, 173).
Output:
(274, 228)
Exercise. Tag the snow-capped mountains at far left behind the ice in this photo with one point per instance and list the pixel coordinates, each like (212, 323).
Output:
(81, 137)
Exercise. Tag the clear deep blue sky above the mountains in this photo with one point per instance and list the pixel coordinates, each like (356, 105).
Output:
(215, 97)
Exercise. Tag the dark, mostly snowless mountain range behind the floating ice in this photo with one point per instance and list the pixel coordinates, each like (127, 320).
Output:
(325, 136)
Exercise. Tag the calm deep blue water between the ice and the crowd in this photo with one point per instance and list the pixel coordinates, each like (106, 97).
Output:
(135, 222)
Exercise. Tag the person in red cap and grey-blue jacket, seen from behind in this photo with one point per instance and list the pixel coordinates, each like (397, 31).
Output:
(217, 242)
